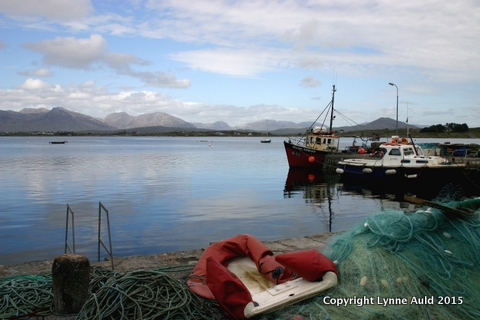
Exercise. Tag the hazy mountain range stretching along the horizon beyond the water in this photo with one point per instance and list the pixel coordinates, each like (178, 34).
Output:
(60, 119)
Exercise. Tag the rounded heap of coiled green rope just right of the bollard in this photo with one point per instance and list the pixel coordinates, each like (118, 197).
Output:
(144, 295)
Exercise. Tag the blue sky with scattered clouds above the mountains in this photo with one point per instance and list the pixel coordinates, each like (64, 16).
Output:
(244, 61)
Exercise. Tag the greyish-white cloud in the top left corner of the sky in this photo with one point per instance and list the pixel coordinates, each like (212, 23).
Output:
(51, 9)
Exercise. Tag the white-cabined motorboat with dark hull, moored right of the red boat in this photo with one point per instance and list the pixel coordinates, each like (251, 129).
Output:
(398, 161)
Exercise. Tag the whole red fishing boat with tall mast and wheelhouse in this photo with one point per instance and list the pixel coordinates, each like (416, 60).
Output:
(310, 150)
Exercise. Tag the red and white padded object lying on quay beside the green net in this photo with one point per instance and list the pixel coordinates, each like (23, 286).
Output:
(247, 279)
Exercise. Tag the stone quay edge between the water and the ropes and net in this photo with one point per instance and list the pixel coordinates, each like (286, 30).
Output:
(167, 259)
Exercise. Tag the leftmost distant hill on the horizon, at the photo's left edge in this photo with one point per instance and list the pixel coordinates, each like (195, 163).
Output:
(57, 119)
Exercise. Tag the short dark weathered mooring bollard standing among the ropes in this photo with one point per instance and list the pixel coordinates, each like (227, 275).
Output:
(70, 282)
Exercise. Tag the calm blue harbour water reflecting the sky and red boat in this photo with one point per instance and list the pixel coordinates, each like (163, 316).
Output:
(163, 194)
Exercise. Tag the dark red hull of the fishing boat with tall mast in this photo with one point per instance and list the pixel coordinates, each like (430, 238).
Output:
(303, 157)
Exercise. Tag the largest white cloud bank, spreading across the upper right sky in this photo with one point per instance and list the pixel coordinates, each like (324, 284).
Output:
(357, 37)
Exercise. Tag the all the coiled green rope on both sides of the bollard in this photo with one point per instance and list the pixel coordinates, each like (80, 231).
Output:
(142, 294)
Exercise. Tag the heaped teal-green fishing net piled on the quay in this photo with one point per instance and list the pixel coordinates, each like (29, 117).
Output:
(422, 264)
